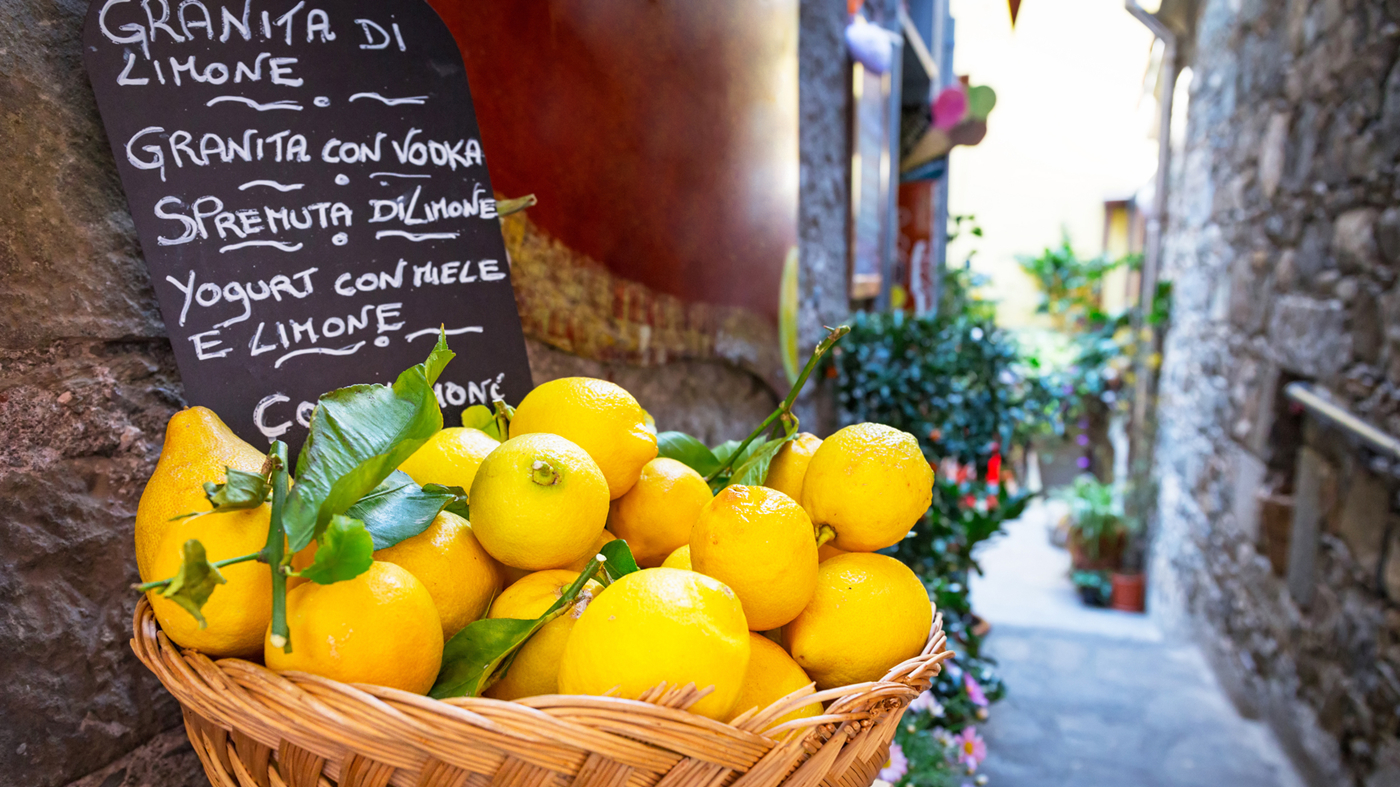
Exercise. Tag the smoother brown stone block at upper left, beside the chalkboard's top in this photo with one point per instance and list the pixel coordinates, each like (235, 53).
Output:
(69, 260)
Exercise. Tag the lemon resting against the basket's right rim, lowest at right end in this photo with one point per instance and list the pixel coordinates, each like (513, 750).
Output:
(870, 613)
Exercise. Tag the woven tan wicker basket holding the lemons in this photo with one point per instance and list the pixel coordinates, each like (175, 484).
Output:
(255, 727)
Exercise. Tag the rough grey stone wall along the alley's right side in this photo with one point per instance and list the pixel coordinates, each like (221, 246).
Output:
(1284, 246)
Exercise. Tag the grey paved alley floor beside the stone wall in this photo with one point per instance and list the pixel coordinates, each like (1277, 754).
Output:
(1101, 698)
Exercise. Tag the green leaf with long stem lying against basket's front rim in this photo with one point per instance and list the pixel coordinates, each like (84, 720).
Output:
(479, 655)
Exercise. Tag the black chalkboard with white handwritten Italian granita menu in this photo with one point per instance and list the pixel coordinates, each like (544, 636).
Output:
(311, 195)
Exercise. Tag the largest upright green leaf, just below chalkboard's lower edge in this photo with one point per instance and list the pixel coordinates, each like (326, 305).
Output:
(359, 436)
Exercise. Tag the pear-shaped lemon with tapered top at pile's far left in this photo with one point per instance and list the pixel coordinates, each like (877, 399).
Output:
(198, 449)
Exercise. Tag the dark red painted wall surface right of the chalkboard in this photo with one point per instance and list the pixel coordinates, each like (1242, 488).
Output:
(660, 137)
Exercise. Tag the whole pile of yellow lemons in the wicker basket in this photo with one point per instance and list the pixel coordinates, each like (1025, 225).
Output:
(736, 590)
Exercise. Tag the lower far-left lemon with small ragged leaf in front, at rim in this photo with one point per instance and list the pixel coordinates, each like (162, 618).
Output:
(239, 611)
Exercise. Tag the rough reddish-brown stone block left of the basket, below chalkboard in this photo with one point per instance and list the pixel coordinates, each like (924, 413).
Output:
(83, 428)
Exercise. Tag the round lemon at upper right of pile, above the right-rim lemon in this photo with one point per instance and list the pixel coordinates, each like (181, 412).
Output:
(870, 484)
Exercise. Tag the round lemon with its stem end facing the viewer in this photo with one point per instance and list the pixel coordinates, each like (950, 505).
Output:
(538, 502)
